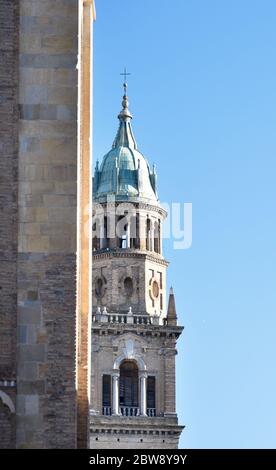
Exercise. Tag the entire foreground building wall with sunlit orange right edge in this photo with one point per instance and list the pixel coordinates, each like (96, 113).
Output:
(42, 197)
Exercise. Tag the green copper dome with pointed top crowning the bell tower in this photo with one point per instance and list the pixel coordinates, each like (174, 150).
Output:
(124, 172)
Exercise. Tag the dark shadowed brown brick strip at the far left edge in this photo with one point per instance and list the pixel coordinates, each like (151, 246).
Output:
(9, 27)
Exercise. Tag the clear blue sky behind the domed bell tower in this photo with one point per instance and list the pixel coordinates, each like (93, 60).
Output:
(203, 96)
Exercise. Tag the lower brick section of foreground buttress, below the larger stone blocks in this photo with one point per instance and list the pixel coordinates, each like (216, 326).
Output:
(46, 362)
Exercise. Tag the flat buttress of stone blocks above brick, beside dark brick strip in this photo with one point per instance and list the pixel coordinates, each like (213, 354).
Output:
(46, 400)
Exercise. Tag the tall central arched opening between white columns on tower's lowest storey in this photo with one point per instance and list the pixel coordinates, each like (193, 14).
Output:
(129, 388)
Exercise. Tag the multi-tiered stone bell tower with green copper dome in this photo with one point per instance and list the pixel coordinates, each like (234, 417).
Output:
(133, 337)
